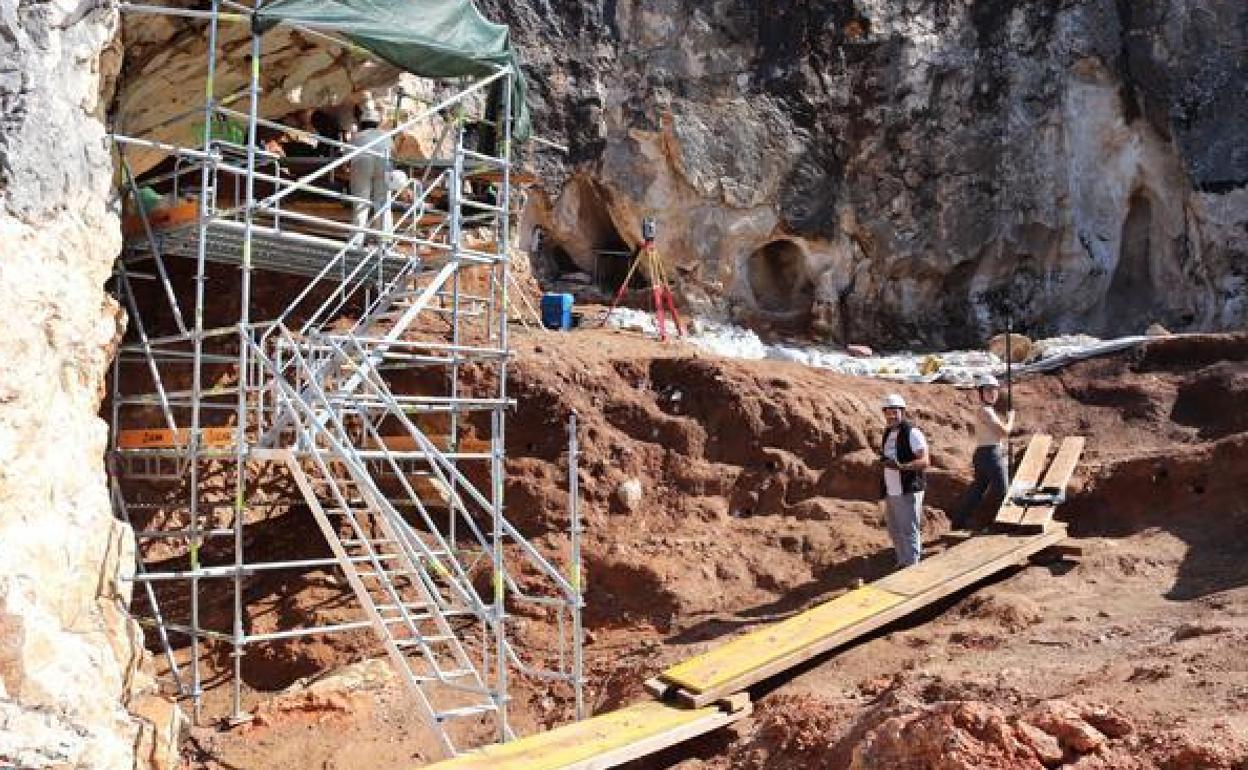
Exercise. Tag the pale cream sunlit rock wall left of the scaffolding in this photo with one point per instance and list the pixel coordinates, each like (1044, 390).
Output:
(73, 690)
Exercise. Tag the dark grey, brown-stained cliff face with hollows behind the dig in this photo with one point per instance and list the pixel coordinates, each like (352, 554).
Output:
(907, 172)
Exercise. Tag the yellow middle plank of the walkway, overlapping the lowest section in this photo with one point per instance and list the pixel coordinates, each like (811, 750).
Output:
(732, 662)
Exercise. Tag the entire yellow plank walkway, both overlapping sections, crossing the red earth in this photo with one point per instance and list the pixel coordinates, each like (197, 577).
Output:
(708, 692)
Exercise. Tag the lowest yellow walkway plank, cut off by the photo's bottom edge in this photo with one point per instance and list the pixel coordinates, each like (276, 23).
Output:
(607, 741)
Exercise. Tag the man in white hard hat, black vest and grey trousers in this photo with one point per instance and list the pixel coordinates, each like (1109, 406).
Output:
(905, 464)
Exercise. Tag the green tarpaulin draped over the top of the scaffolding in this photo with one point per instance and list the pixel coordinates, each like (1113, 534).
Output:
(427, 38)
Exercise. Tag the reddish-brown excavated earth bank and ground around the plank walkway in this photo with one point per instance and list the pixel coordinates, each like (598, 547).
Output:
(758, 499)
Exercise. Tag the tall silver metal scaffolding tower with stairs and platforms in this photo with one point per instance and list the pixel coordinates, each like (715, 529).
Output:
(349, 400)
